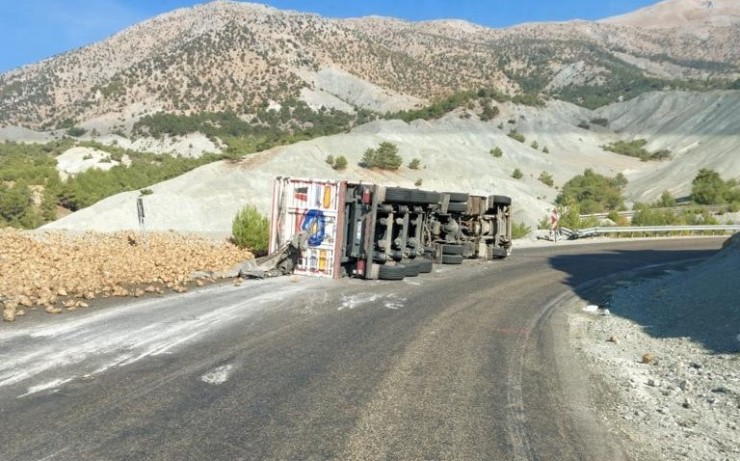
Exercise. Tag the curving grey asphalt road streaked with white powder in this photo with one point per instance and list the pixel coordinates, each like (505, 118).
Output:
(467, 363)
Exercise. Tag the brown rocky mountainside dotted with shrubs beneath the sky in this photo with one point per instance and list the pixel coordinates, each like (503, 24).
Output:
(240, 56)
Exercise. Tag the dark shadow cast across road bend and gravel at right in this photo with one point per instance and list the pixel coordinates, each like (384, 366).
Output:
(646, 301)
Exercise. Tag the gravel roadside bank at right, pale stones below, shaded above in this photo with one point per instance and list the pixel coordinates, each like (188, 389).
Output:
(664, 356)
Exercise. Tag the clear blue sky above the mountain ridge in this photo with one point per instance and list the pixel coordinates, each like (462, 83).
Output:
(31, 30)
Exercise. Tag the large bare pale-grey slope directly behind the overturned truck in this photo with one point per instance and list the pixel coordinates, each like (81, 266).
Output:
(454, 152)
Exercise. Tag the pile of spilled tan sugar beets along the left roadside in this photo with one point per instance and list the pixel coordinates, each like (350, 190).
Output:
(58, 272)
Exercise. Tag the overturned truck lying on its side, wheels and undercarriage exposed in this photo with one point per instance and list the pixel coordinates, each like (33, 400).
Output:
(378, 232)
